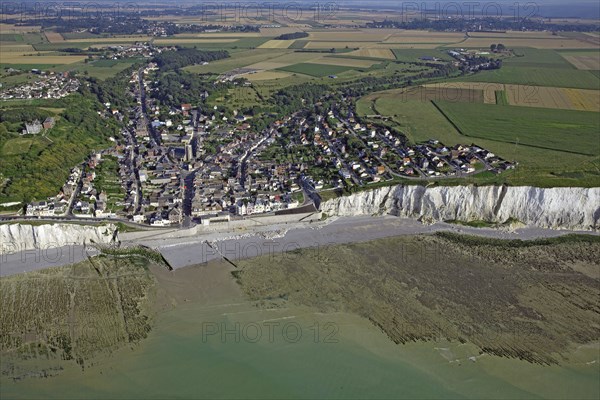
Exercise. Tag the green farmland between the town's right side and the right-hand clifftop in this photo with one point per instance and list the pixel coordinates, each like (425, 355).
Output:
(558, 161)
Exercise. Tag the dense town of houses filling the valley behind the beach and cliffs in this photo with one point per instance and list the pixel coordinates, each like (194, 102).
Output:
(193, 164)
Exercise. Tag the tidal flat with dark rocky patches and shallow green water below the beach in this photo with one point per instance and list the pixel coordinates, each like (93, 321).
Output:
(429, 316)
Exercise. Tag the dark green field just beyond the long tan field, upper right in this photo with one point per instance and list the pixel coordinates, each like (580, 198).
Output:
(547, 76)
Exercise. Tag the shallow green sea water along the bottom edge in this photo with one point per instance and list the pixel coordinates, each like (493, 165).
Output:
(240, 351)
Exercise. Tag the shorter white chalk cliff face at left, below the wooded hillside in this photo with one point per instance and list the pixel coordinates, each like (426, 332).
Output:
(16, 237)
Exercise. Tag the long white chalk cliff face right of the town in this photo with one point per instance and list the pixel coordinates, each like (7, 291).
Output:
(557, 208)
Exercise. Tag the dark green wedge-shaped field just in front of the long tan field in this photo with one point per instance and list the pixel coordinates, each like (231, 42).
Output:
(565, 130)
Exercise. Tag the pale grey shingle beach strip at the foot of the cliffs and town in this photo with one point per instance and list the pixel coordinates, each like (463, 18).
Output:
(184, 248)
